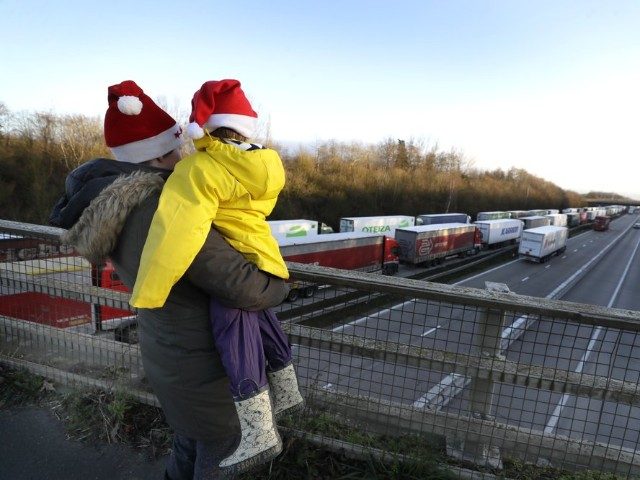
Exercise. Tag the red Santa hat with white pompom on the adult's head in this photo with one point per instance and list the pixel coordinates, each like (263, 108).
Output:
(135, 128)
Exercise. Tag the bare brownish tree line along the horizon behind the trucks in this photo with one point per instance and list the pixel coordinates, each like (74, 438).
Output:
(332, 180)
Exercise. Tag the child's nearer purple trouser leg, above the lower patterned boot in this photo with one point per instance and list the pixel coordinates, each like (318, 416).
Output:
(237, 337)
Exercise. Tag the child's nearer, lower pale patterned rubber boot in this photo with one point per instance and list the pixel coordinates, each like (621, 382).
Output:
(260, 442)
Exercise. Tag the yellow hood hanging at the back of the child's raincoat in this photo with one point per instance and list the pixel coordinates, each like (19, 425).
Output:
(258, 169)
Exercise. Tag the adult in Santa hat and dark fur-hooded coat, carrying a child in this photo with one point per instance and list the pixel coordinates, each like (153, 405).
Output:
(108, 207)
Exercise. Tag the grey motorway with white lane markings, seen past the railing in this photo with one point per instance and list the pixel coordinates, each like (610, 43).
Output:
(600, 268)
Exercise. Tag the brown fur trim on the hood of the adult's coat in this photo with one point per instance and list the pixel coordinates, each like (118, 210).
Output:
(96, 232)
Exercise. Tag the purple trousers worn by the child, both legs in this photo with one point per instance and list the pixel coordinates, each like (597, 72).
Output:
(249, 344)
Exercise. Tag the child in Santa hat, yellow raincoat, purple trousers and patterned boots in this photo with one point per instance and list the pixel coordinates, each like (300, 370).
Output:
(233, 185)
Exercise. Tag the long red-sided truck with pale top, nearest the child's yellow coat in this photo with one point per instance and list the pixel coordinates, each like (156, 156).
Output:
(347, 250)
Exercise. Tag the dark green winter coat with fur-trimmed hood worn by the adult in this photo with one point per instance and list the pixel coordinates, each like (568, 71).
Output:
(178, 353)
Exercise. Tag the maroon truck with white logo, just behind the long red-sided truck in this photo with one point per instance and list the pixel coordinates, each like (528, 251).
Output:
(424, 245)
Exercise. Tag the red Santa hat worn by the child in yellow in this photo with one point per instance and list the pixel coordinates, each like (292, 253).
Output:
(221, 103)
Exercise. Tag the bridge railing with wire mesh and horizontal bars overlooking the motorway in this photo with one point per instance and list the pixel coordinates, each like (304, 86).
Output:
(491, 375)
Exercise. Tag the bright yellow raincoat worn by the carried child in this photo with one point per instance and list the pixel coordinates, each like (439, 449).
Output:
(222, 184)
